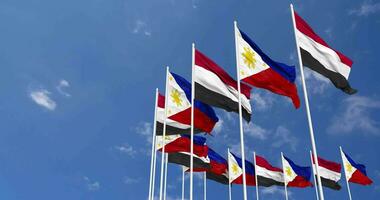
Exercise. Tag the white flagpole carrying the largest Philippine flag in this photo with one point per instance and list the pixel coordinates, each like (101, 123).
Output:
(240, 116)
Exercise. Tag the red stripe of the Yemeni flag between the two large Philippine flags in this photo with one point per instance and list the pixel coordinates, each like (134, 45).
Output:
(203, 61)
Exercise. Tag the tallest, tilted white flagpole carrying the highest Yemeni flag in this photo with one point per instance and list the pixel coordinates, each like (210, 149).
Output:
(307, 108)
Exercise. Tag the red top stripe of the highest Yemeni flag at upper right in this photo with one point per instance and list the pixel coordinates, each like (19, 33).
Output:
(303, 27)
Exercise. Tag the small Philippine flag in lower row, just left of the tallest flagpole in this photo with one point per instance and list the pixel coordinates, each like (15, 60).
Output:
(295, 176)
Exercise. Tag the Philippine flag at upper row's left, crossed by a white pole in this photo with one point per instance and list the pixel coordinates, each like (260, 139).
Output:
(179, 108)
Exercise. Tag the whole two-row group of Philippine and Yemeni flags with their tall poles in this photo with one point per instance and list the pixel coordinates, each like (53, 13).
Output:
(187, 109)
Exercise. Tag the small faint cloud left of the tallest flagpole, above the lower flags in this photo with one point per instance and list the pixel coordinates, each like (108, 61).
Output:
(283, 137)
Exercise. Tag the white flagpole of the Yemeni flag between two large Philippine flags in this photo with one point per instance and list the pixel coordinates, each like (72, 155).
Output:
(192, 122)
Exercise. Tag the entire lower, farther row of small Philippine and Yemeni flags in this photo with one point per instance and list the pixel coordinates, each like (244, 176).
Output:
(230, 171)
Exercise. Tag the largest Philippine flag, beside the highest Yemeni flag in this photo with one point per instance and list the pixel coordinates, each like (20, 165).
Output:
(257, 69)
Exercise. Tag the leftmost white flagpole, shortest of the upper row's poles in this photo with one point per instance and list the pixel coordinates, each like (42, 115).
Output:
(153, 154)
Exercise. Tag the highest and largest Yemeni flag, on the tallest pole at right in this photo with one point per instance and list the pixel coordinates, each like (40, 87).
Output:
(320, 57)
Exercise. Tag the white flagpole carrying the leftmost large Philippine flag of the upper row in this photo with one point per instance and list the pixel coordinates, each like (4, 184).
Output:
(163, 135)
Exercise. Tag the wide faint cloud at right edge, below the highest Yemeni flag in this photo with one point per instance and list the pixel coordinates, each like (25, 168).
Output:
(356, 115)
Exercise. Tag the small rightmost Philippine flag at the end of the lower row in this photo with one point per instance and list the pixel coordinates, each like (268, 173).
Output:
(355, 173)
